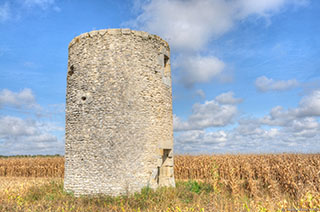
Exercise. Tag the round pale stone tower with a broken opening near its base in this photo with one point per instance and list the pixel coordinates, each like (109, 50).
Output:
(119, 128)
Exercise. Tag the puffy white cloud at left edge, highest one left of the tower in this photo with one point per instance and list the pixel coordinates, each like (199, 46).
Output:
(24, 98)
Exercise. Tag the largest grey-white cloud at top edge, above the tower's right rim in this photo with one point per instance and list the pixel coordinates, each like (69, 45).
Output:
(188, 25)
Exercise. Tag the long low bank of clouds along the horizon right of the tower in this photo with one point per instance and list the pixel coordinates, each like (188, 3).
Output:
(282, 130)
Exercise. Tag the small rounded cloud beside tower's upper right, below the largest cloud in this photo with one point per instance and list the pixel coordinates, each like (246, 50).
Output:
(197, 69)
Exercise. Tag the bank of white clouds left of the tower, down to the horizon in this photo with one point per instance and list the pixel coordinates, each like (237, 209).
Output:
(29, 133)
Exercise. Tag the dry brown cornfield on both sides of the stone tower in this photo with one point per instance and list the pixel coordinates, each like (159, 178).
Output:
(253, 175)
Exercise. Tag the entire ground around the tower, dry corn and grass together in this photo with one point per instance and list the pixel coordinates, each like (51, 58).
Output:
(270, 182)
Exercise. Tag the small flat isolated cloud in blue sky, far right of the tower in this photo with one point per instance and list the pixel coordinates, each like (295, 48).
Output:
(265, 84)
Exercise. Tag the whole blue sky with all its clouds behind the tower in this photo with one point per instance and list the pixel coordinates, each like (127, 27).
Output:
(245, 73)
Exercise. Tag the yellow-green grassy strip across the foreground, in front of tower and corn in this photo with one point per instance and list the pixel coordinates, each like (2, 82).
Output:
(187, 196)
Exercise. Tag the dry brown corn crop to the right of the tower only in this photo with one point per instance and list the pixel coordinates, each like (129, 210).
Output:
(254, 175)
